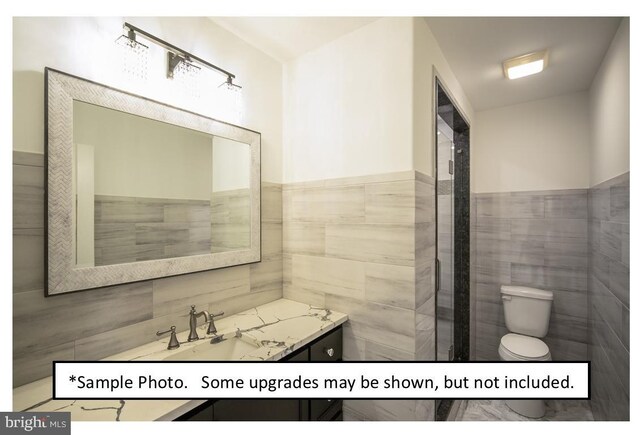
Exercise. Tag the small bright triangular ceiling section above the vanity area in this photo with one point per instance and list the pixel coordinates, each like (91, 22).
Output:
(285, 38)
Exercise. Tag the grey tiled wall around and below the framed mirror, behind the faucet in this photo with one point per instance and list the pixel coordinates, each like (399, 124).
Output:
(97, 323)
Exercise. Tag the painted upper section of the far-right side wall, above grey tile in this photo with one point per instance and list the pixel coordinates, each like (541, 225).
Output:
(609, 111)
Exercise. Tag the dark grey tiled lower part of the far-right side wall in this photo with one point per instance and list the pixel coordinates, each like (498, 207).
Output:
(609, 298)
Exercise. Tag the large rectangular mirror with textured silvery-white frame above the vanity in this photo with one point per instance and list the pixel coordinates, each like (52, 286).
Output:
(140, 190)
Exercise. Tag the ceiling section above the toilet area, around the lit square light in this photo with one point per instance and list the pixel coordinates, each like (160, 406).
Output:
(475, 48)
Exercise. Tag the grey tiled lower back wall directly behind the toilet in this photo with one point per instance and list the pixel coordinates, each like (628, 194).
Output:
(537, 239)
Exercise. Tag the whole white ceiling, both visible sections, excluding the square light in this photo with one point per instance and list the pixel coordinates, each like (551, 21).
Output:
(475, 48)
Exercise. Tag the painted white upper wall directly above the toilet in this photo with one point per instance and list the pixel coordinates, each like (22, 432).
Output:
(538, 145)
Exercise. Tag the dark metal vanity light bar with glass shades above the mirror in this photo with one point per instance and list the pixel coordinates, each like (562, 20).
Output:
(179, 61)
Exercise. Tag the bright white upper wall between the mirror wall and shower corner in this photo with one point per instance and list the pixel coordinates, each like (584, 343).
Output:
(348, 105)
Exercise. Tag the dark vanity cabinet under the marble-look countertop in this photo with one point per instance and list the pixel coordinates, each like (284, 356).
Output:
(327, 348)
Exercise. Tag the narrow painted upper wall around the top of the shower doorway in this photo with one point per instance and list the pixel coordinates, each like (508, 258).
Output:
(427, 56)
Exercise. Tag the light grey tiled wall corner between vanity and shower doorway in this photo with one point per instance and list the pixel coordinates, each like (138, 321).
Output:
(365, 246)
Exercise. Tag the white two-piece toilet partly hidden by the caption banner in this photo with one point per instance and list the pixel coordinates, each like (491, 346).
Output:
(526, 313)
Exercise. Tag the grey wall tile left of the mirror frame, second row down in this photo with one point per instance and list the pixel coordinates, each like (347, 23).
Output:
(28, 197)
